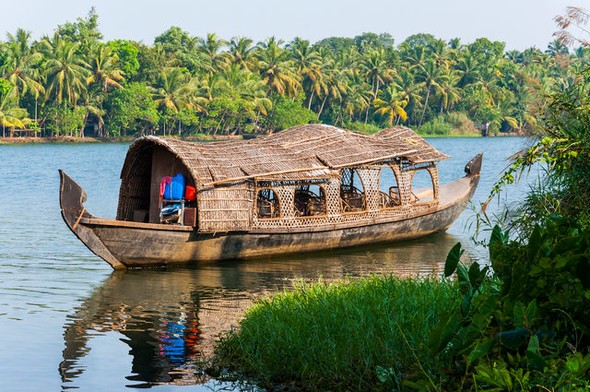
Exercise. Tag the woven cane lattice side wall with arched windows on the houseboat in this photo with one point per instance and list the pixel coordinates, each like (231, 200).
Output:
(309, 204)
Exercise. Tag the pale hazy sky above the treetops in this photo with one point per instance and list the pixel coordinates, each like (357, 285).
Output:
(520, 24)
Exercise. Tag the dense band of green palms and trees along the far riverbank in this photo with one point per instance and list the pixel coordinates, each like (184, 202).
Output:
(74, 83)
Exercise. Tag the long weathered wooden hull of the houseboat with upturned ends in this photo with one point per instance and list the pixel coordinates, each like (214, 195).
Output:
(130, 244)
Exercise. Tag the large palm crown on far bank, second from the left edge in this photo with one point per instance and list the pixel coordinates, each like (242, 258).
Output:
(65, 70)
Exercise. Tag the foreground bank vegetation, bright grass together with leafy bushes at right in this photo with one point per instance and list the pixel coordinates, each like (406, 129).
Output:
(520, 323)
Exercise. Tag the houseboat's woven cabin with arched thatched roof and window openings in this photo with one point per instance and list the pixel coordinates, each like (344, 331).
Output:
(306, 178)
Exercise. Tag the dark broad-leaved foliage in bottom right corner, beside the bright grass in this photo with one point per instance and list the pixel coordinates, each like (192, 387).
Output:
(525, 326)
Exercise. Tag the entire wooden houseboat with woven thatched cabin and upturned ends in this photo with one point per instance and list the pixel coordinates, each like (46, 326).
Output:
(308, 188)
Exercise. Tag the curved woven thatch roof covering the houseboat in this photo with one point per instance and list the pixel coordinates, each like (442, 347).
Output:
(306, 151)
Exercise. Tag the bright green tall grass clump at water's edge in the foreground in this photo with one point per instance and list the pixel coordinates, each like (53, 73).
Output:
(339, 336)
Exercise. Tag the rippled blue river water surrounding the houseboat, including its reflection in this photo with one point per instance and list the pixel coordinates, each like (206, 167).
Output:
(67, 321)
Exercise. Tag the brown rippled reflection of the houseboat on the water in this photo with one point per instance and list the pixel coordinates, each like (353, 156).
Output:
(170, 319)
